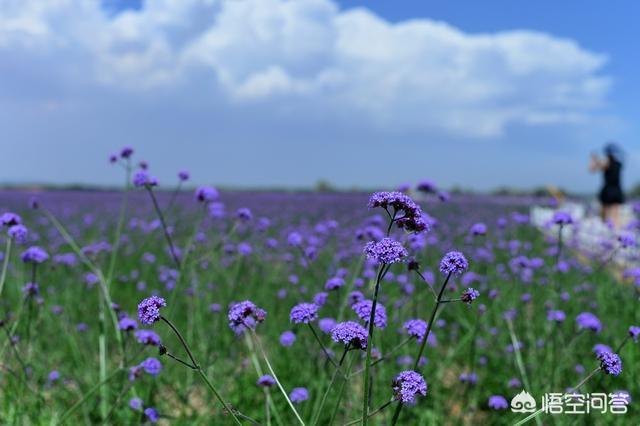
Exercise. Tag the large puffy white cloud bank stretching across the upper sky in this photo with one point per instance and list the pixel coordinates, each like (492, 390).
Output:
(304, 55)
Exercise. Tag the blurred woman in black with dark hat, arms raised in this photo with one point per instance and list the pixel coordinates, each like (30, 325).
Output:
(611, 195)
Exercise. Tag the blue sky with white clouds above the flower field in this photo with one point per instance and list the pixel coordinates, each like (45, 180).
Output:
(276, 93)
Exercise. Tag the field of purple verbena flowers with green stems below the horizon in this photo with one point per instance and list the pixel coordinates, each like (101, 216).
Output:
(263, 306)
